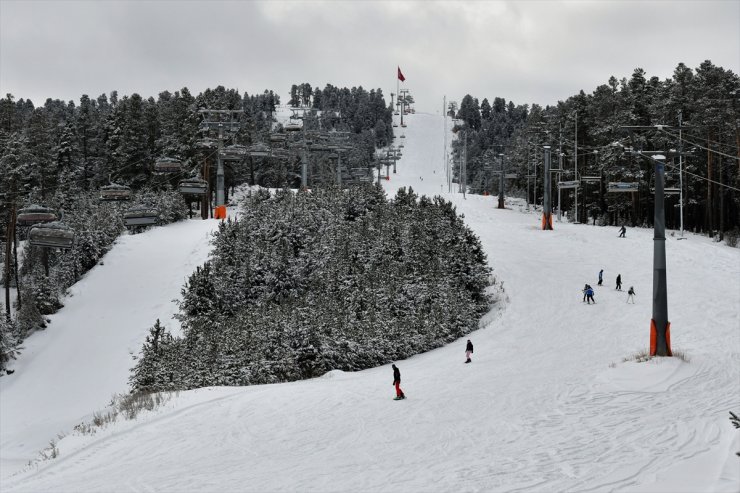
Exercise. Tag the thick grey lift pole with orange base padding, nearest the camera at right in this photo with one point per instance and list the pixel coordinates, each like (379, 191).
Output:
(660, 327)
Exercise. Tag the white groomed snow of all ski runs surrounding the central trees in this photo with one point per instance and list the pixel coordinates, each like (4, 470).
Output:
(548, 404)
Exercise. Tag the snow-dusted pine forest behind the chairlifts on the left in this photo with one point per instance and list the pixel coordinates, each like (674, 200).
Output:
(60, 154)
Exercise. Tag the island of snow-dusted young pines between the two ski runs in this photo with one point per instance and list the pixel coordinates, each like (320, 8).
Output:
(309, 282)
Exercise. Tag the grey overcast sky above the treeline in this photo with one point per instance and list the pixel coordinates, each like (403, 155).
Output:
(524, 51)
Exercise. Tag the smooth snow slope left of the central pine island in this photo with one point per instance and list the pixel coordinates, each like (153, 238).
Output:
(76, 365)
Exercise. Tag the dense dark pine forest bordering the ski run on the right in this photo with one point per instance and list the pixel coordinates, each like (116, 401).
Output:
(707, 100)
